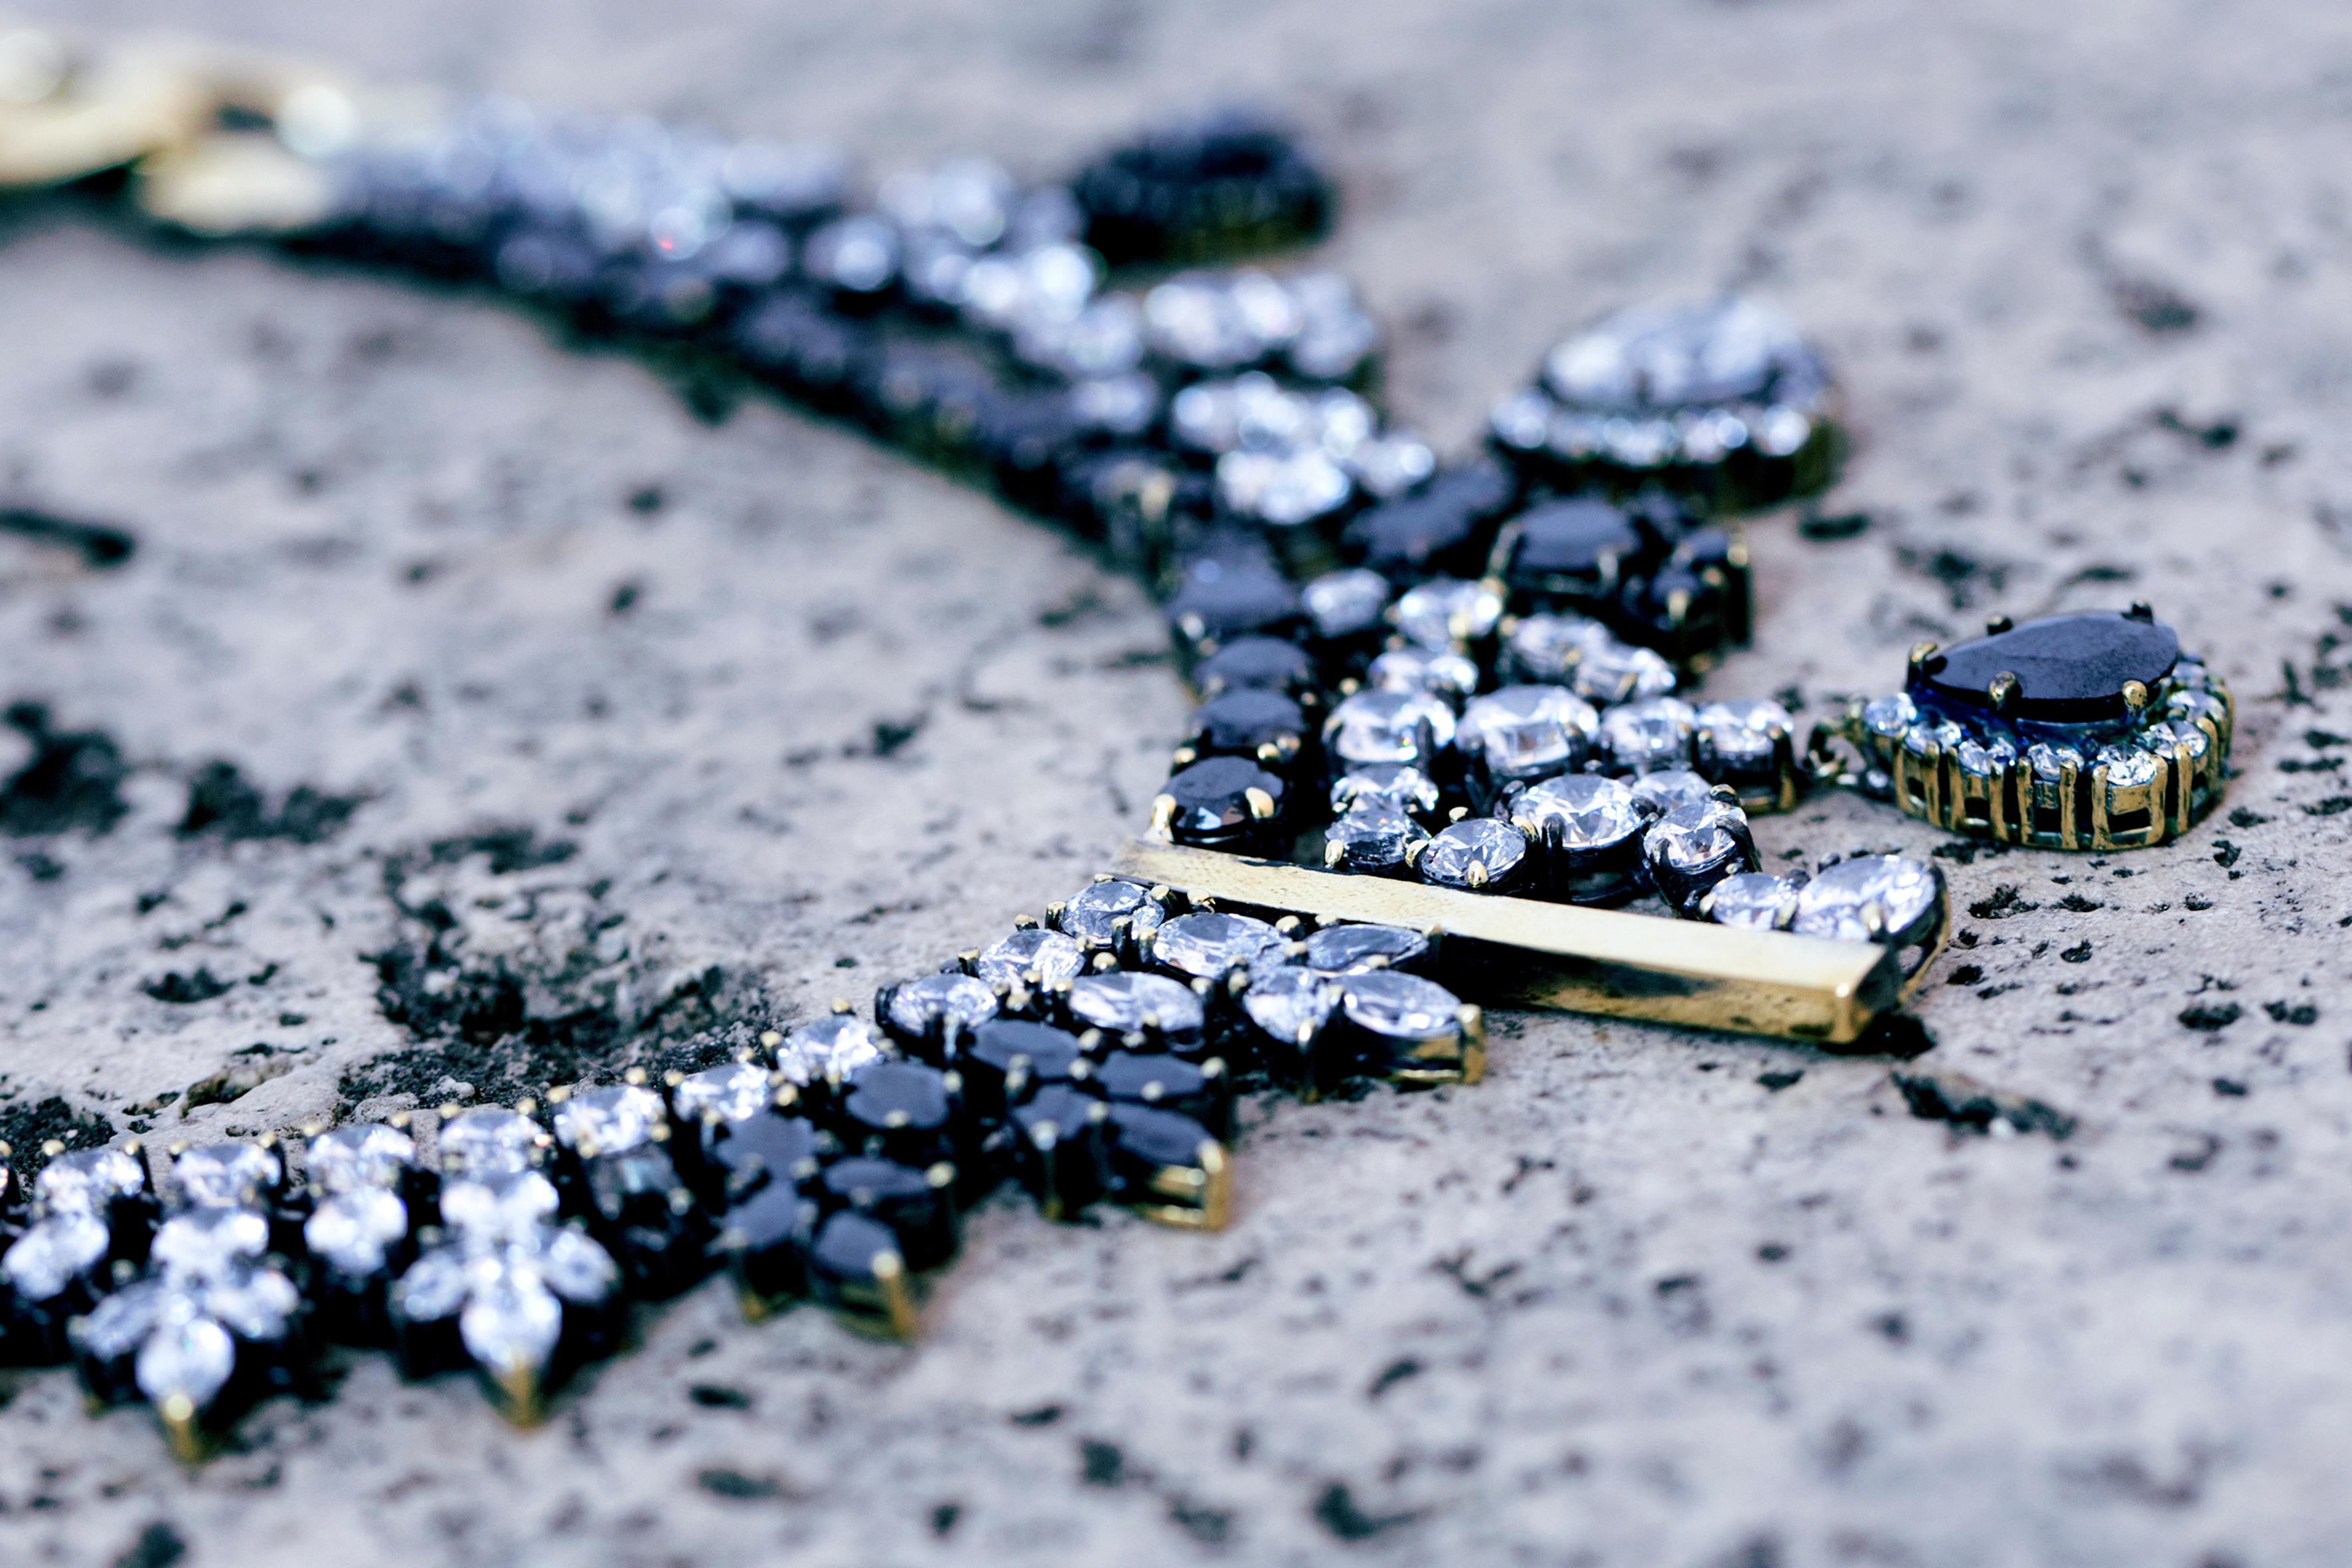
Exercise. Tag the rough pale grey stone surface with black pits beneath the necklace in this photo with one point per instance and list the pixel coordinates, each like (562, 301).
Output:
(1643, 1296)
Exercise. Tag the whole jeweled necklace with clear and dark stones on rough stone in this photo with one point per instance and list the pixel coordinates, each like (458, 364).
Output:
(1443, 739)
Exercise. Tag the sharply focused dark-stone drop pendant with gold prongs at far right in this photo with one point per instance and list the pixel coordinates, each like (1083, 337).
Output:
(2078, 732)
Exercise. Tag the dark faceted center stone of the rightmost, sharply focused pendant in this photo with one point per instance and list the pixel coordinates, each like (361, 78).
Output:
(2071, 669)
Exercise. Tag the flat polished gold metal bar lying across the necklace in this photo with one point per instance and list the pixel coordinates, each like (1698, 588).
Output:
(1570, 958)
